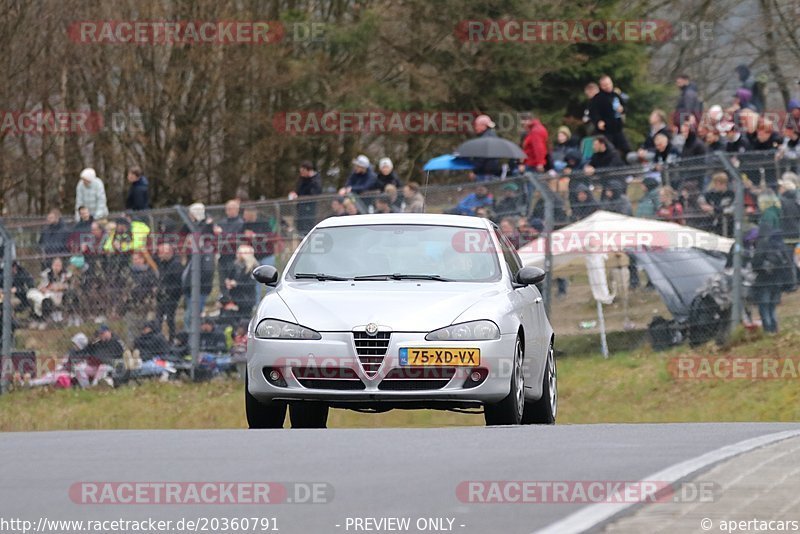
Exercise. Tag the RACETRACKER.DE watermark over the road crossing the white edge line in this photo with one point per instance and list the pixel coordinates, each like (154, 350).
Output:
(583, 492)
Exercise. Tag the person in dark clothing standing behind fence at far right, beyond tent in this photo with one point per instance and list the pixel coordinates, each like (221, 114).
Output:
(773, 270)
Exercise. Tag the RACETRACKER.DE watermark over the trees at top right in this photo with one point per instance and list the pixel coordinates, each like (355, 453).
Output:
(581, 31)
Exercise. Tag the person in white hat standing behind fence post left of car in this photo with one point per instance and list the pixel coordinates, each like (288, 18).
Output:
(204, 228)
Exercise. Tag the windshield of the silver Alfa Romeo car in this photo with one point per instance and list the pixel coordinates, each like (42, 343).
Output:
(396, 252)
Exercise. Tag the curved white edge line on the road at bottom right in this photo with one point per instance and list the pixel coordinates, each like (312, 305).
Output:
(594, 514)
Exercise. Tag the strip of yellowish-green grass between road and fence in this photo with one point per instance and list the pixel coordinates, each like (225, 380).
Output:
(631, 386)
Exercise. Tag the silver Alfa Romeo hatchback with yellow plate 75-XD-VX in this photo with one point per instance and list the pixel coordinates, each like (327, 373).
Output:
(379, 312)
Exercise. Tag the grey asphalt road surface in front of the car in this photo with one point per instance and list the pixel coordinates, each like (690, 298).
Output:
(370, 473)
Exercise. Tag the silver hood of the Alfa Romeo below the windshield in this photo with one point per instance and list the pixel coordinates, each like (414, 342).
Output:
(403, 305)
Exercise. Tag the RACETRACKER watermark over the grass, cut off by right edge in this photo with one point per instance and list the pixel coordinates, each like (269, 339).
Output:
(733, 368)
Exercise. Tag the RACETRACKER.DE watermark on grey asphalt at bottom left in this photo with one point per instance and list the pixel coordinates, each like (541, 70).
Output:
(206, 493)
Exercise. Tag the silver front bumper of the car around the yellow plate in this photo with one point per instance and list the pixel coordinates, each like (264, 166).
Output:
(337, 350)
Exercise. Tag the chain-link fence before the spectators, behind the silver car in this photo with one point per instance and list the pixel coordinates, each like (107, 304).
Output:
(167, 293)
